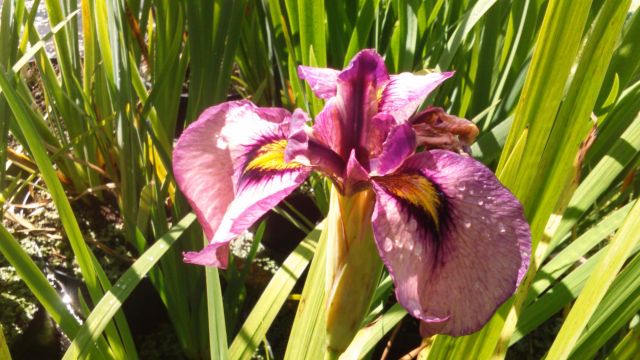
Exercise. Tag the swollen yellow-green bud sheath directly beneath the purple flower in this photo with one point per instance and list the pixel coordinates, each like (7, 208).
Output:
(353, 267)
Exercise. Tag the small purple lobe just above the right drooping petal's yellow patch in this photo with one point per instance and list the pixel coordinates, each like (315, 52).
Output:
(399, 145)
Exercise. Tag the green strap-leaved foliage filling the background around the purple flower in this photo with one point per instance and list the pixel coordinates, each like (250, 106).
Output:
(553, 85)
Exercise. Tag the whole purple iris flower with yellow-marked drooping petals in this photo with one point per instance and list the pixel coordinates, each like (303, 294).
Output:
(454, 240)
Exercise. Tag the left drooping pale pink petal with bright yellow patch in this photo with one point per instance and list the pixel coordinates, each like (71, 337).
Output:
(230, 166)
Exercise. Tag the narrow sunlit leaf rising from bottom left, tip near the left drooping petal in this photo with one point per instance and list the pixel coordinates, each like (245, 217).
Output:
(113, 299)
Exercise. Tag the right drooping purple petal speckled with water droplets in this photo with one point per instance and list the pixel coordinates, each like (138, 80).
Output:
(453, 238)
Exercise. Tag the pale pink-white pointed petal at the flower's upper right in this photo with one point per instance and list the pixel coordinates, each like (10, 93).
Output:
(405, 92)
